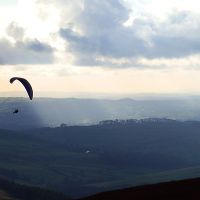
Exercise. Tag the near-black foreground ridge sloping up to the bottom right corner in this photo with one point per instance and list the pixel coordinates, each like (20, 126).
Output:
(176, 190)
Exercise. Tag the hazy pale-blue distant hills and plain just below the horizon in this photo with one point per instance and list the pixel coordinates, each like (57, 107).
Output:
(52, 112)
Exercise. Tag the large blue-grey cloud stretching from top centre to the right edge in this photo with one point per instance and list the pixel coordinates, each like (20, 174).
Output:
(102, 33)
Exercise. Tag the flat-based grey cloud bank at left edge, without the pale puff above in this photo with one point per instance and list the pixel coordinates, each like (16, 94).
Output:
(30, 52)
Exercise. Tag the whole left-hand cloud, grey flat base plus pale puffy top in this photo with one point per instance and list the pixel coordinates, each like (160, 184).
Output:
(18, 48)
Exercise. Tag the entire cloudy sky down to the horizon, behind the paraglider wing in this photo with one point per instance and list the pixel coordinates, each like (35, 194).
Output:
(114, 47)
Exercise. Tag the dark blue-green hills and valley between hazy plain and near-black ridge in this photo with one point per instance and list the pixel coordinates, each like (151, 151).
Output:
(56, 158)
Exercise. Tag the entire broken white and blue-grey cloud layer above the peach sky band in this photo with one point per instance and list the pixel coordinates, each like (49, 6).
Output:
(102, 33)
